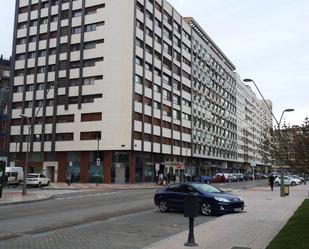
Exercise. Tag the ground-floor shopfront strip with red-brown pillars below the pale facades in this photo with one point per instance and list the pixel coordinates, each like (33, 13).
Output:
(123, 166)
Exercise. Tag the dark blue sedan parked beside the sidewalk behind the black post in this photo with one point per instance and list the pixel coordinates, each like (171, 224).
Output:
(213, 201)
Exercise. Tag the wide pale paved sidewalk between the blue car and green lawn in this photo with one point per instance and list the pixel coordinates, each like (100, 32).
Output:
(266, 213)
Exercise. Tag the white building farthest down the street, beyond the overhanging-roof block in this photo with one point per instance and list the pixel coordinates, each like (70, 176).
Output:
(253, 120)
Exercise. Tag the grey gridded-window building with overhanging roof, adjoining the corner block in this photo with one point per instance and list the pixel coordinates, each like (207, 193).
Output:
(214, 104)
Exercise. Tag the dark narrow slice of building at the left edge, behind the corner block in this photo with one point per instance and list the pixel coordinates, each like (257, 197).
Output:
(5, 67)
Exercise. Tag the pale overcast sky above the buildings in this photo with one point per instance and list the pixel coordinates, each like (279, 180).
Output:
(267, 41)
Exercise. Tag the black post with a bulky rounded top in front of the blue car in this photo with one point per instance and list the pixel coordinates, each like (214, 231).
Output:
(191, 210)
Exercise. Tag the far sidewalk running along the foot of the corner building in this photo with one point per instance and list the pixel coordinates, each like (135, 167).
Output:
(14, 195)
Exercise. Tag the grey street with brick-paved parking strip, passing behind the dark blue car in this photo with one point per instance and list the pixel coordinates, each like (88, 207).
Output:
(121, 219)
